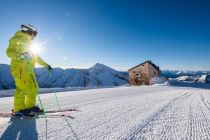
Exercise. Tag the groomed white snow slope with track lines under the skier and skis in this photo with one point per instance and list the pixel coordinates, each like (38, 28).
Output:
(119, 113)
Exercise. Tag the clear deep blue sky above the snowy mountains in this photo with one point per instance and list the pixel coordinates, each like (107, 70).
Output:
(174, 34)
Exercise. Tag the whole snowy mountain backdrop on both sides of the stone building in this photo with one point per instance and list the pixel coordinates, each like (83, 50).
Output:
(98, 75)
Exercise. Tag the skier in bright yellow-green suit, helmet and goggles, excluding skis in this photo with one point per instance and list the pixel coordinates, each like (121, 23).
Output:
(22, 68)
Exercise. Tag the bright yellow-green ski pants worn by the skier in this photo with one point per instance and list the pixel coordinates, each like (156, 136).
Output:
(26, 88)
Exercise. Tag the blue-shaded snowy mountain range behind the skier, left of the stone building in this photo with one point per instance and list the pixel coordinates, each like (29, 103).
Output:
(97, 76)
